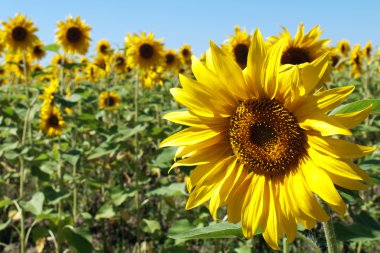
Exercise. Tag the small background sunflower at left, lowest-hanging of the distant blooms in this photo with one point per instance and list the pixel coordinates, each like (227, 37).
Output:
(51, 121)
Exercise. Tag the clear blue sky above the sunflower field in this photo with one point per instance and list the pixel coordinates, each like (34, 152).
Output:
(197, 21)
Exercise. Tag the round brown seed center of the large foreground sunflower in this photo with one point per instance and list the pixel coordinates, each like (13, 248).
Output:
(266, 137)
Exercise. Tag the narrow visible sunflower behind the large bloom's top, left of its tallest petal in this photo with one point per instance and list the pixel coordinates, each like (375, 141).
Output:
(238, 45)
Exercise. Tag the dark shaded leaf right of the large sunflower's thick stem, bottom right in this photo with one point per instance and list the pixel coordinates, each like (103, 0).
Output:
(364, 228)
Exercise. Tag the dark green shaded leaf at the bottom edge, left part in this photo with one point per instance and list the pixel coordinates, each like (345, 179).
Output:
(78, 239)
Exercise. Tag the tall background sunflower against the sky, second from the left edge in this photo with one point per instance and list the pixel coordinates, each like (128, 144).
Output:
(73, 35)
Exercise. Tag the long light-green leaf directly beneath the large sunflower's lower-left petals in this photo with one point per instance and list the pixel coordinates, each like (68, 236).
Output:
(217, 230)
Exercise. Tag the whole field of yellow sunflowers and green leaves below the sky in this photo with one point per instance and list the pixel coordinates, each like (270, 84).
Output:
(259, 145)
